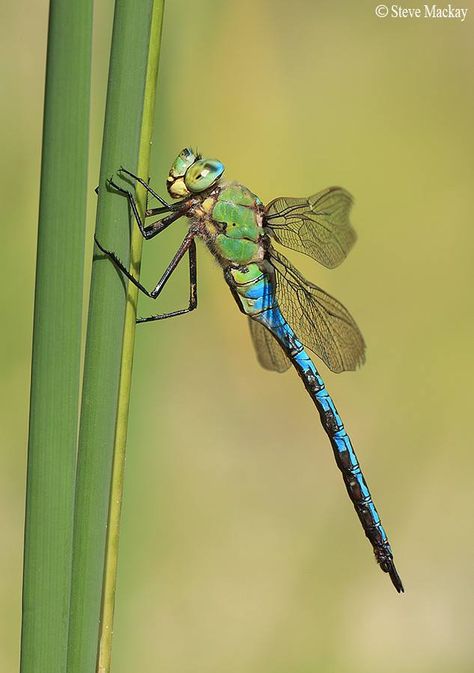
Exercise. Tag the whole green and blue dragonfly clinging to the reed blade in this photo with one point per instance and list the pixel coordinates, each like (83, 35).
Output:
(288, 315)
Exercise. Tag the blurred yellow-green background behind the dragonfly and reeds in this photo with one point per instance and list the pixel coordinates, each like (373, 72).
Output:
(240, 551)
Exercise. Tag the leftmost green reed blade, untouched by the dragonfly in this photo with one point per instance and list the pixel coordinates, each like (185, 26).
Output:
(56, 340)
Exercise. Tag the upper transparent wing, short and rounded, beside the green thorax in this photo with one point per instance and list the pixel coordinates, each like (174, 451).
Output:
(318, 226)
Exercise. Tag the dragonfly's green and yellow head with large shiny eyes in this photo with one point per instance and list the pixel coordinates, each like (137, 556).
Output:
(191, 174)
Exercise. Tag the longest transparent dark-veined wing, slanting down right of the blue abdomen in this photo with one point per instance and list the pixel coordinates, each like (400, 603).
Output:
(319, 321)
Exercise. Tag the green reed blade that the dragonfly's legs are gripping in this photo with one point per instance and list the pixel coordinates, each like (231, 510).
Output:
(127, 134)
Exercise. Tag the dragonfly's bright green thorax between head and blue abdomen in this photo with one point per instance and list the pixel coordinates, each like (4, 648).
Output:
(230, 219)
